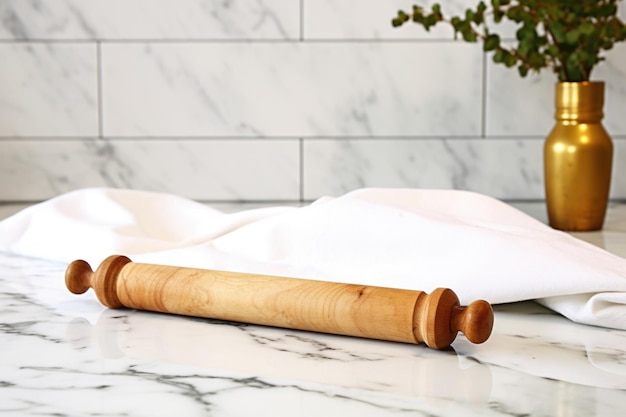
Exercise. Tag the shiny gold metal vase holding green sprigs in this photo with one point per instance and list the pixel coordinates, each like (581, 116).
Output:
(578, 155)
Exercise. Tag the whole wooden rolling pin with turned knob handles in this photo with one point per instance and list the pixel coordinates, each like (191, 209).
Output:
(327, 307)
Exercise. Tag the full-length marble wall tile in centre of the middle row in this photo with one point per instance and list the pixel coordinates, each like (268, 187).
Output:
(291, 89)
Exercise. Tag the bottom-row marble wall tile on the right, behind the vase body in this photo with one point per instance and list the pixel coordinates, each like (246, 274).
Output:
(509, 169)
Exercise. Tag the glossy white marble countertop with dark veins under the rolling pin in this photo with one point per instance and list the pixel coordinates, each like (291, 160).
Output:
(66, 355)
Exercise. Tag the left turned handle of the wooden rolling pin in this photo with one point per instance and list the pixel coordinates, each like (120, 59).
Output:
(79, 277)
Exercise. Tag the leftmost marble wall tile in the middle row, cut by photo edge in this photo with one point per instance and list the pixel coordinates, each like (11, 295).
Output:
(48, 89)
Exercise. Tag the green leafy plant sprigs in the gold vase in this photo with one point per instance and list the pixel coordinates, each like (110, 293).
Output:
(567, 36)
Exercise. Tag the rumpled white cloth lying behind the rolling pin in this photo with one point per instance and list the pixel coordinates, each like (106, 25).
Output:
(406, 238)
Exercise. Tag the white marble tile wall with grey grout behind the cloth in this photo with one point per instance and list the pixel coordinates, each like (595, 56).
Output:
(268, 100)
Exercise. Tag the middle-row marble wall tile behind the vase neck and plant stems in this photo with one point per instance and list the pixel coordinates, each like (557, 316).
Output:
(525, 106)
